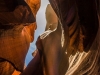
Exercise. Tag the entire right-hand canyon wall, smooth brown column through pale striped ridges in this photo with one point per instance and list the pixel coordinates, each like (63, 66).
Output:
(81, 52)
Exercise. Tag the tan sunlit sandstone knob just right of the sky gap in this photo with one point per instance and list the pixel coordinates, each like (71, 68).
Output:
(51, 18)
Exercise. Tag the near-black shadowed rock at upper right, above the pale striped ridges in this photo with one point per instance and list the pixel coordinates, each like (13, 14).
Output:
(88, 21)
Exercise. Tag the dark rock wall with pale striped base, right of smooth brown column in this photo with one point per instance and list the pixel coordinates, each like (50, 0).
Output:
(86, 59)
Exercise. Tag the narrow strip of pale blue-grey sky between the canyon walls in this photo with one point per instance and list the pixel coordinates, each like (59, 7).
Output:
(41, 23)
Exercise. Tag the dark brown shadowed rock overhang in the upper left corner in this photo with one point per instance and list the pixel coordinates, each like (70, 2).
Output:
(21, 13)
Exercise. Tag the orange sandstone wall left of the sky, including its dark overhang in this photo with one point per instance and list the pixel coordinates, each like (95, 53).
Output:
(17, 26)
